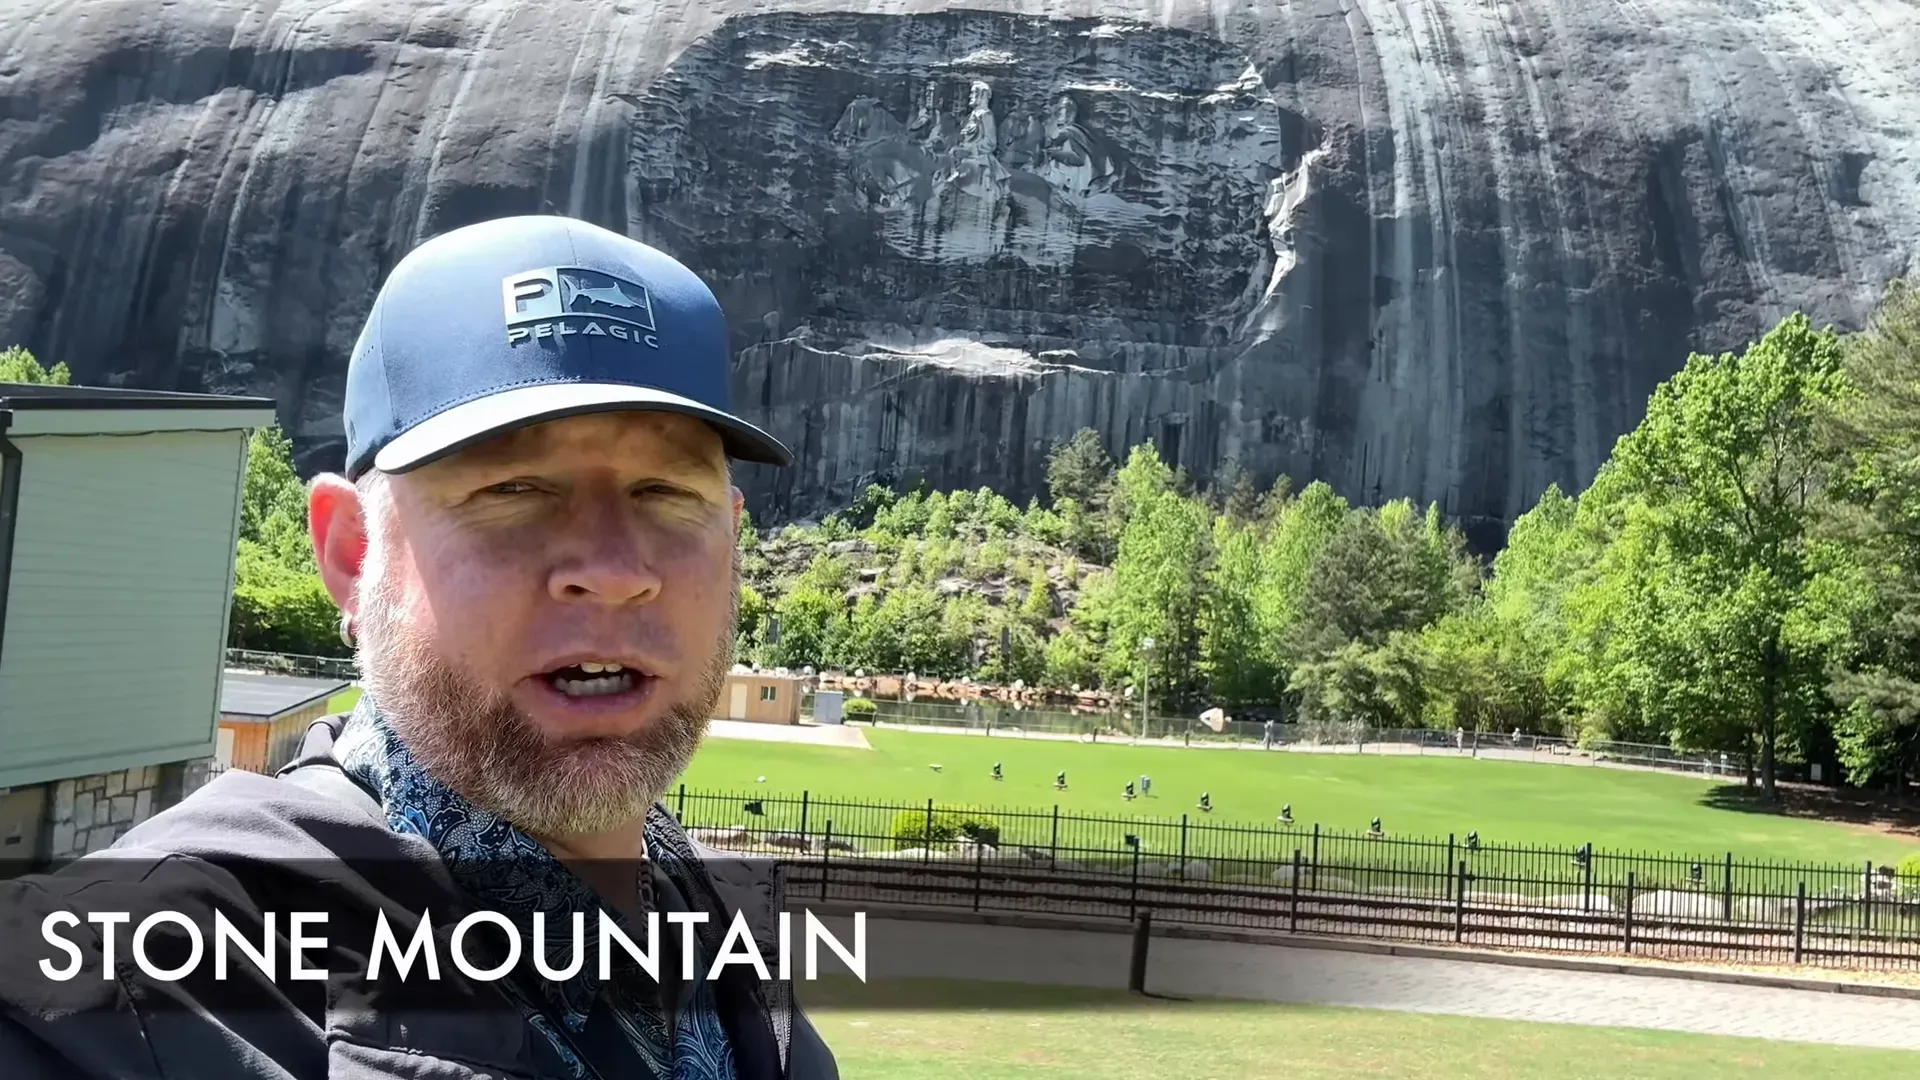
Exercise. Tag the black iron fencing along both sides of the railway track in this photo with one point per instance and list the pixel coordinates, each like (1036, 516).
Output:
(1314, 881)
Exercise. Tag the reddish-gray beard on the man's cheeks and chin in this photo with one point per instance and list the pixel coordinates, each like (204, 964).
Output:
(473, 739)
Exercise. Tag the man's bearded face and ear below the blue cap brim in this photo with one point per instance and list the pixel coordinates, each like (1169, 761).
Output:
(548, 620)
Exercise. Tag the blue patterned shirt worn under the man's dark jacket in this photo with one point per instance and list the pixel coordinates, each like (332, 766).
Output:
(512, 873)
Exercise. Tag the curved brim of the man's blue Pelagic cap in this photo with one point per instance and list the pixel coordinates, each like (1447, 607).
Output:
(481, 420)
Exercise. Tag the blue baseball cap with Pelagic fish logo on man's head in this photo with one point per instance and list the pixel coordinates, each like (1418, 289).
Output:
(525, 320)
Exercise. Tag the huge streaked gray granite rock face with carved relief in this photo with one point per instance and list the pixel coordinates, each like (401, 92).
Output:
(1429, 249)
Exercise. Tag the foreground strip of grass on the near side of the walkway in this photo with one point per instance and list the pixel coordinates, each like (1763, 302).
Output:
(934, 1031)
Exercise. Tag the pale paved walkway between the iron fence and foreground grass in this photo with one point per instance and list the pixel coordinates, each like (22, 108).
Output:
(1414, 985)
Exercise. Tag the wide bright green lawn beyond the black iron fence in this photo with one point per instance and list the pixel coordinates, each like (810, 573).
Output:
(1506, 802)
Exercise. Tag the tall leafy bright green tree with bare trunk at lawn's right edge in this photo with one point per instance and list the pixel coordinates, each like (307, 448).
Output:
(1729, 470)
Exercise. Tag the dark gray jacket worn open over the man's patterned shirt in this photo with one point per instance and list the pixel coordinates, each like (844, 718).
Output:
(251, 845)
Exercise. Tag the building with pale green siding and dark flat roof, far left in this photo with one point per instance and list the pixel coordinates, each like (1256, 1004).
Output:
(118, 528)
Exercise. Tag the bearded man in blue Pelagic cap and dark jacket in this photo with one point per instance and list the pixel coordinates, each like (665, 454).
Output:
(533, 551)
